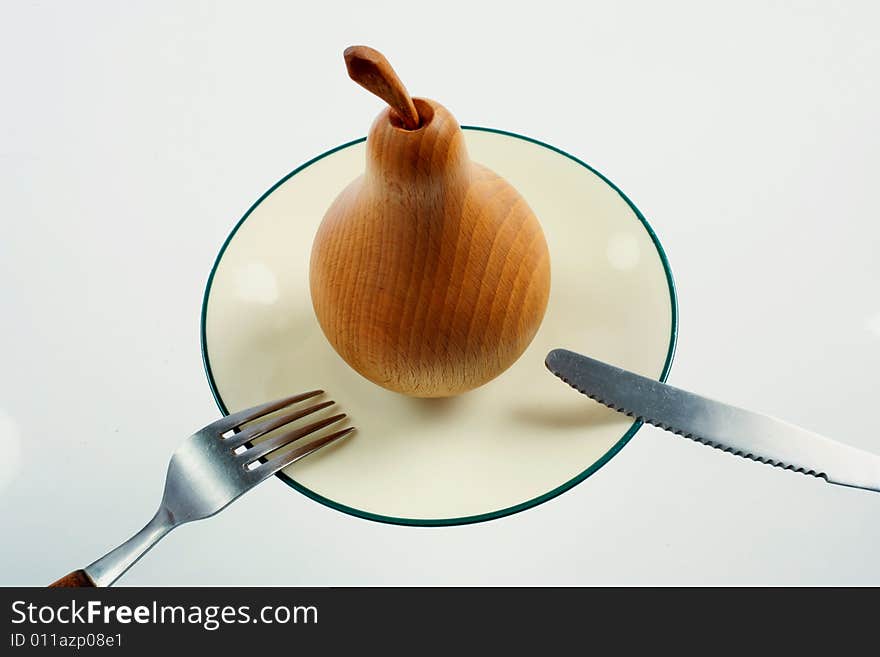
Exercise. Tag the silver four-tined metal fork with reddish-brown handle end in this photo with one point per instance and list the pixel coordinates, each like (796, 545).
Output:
(210, 470)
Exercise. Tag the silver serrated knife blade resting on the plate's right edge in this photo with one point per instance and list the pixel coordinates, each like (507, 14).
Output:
(744, 433)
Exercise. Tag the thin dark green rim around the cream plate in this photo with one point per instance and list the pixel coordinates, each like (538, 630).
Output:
(440, 522)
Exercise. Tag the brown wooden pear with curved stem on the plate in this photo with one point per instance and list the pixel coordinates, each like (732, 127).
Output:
(429, 273)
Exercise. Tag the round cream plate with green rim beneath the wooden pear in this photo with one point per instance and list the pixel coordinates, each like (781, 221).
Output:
(515, 442)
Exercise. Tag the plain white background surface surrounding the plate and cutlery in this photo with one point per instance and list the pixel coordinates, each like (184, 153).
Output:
(134, 135)
